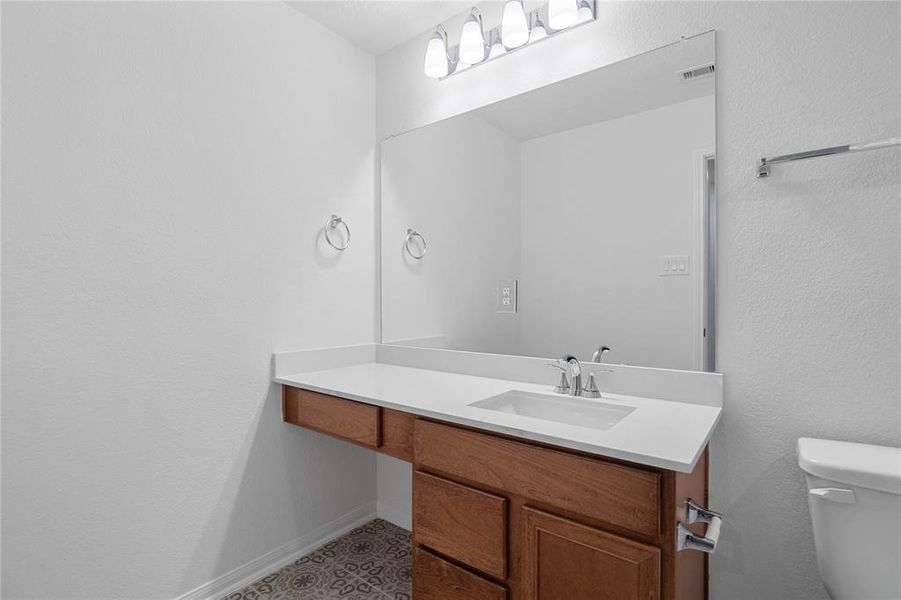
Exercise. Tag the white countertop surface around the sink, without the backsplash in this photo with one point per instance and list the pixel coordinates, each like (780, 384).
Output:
(659, 433)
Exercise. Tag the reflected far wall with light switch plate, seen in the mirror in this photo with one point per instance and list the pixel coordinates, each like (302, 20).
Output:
(615, 196)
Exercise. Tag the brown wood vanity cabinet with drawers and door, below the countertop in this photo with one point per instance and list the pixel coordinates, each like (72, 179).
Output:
(499, 518)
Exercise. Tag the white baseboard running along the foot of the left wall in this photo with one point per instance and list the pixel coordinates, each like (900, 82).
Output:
(275, 559)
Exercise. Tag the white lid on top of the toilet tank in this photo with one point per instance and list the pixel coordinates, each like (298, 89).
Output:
(863, 465)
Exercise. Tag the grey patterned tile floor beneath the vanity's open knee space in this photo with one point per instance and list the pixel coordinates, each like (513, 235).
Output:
(372, 562)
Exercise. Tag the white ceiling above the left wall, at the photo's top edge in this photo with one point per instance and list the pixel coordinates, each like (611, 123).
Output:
(379, 25)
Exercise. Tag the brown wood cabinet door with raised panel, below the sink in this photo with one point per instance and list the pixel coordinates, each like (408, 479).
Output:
(565, 560)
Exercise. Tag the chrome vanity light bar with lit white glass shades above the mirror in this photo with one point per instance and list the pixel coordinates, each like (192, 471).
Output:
(516, 30)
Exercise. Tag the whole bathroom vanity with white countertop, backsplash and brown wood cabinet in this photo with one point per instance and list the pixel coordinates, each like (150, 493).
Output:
(507, 506)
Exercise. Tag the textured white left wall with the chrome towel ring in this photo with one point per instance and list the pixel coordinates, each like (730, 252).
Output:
(167, 168)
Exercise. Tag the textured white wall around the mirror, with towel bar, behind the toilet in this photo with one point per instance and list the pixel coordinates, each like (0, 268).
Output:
(808, 260)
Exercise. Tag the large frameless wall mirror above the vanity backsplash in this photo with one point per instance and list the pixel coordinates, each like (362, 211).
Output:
(582, 204)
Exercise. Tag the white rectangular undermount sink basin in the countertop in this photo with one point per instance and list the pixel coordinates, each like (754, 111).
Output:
(570, 410)
